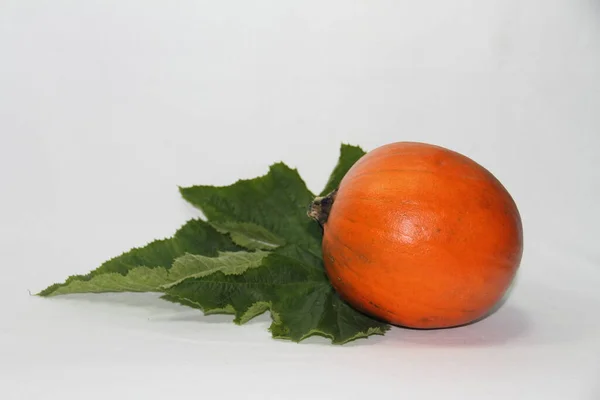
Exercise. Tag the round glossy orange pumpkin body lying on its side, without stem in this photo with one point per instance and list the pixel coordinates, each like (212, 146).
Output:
(422, 237)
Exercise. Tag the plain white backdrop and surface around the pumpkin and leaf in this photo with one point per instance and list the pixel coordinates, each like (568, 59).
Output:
(107, 105)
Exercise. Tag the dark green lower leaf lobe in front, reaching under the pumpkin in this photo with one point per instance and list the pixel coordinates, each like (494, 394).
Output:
(292, 284)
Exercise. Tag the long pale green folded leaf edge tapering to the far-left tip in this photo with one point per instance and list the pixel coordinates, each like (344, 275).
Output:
(145, 279)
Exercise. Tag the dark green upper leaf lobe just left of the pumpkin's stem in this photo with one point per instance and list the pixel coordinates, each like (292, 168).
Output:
(277, 201)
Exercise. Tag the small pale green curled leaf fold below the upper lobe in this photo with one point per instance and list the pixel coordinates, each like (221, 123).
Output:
(249, 235)
